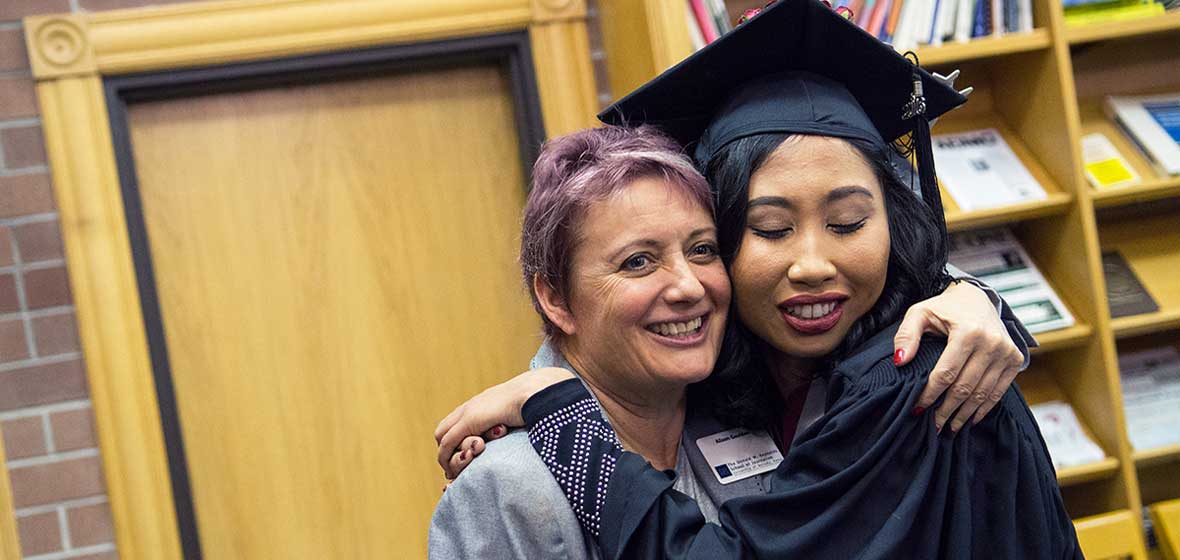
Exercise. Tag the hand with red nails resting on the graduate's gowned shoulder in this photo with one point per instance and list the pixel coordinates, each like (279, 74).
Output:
(980, 361)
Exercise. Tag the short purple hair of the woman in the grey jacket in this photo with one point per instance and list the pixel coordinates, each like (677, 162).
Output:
(578, 170)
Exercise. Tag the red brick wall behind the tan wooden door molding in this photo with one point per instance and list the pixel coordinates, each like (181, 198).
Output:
(47, 420)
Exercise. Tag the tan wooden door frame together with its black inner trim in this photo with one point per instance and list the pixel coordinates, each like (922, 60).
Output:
(88, 67)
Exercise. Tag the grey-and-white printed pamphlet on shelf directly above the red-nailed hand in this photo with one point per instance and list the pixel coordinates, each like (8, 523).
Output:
(997, 258)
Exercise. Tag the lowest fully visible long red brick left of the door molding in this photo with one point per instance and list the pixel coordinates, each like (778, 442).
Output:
(54, 483)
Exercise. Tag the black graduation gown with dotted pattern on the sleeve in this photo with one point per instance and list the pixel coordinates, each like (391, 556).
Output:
(868, 480)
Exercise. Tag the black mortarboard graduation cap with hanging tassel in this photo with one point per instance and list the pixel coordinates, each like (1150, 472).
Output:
(797, 68)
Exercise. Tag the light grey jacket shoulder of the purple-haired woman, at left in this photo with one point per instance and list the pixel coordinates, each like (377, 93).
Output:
(506, 504)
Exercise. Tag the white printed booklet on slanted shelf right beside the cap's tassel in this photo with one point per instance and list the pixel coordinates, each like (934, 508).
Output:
(981, 172)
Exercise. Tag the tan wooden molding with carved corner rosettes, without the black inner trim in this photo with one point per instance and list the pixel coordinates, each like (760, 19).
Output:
(73, 54)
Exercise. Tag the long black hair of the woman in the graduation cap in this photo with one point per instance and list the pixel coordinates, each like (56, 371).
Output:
(742, 392)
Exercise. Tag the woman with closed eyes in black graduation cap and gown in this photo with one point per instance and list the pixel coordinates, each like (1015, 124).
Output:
(792, 118)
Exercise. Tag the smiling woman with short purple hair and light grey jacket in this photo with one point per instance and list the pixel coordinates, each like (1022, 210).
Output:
(620, 254)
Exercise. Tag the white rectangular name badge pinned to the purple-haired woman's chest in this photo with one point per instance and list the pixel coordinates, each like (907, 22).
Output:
(739, 454)
